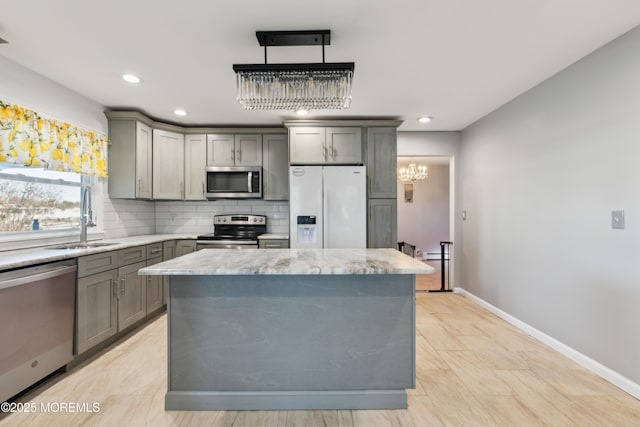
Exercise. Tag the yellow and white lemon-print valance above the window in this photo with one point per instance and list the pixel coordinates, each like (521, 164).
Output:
(30, 140)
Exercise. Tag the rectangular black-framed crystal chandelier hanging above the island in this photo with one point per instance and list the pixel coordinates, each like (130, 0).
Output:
(294, 86)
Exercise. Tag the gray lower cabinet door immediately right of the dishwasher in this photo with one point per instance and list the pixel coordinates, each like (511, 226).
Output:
(96, 308)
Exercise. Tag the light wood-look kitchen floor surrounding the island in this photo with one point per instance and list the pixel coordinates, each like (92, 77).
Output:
(473, 369)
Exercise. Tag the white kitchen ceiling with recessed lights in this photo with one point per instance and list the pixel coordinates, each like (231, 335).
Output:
(455, 60)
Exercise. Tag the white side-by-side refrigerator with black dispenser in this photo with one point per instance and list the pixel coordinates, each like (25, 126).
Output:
(328, 207)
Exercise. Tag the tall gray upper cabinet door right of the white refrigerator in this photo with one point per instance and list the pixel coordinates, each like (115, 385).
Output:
(381, 149)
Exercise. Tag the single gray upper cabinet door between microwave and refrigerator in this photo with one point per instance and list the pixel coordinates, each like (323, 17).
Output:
(275, 155)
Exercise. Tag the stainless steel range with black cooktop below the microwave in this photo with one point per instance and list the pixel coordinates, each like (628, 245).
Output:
(234, 232)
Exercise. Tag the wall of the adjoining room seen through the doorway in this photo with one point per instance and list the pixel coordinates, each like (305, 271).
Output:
(425, 221)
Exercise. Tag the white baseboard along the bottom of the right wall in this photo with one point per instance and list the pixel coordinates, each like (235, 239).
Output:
(597, 368)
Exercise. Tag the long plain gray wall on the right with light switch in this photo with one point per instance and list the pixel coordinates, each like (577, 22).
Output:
(540, 177)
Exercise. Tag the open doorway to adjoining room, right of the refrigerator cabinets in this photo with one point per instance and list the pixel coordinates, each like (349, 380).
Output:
(424, 216)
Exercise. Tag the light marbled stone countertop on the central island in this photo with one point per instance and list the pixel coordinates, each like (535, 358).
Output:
(290, 262)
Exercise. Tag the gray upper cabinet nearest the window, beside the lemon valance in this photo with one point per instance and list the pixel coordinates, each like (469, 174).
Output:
(130, 159)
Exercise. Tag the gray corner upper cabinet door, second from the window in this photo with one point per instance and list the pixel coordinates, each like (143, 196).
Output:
(168, 165)
